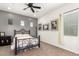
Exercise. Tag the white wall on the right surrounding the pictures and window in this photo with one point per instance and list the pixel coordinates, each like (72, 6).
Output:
(51, 37)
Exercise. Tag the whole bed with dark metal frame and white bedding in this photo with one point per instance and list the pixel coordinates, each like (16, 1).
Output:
(23, 40)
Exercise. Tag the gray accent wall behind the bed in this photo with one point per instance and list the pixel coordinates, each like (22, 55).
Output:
(9, 29)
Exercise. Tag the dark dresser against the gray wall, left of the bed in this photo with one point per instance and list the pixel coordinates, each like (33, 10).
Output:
(5, 40)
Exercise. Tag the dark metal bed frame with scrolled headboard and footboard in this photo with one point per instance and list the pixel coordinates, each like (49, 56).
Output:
(23, 31)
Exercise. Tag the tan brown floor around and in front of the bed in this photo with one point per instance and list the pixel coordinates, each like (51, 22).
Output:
(44, 50)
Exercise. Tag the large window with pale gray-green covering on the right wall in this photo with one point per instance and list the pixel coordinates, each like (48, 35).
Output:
(71, 24)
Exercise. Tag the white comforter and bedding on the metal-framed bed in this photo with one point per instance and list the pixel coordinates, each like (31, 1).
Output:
(24, 42)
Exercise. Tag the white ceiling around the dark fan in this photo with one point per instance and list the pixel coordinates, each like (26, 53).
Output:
(18, 8)
